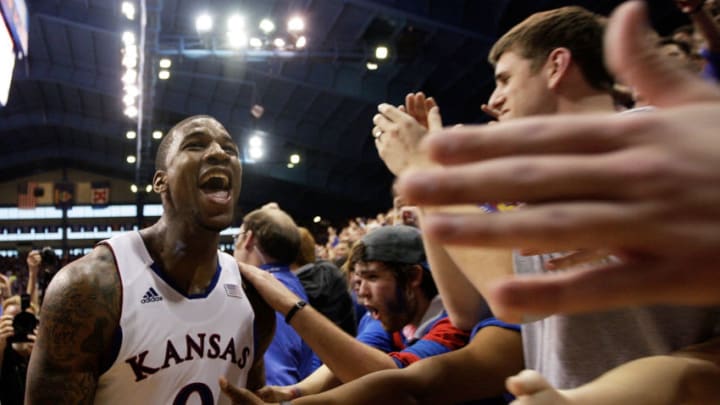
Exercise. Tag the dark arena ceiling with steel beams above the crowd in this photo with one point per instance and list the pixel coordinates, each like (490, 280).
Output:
(66, 109)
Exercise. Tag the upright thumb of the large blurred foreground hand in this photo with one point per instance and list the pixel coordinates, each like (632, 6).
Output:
(634, 58)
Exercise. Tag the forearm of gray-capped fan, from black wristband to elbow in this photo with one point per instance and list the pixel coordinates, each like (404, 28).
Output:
(346, 357)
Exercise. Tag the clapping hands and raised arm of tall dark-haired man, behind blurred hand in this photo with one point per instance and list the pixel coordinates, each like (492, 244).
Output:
(461, 274)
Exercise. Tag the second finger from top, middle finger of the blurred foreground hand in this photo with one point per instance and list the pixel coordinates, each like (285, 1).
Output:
(532, 179)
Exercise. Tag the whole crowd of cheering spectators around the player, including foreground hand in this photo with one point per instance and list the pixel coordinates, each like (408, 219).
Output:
(415, 305)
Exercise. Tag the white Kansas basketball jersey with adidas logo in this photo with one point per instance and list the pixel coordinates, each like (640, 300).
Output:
(173, 347)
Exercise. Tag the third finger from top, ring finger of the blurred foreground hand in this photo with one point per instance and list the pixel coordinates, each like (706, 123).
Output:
(568, 223)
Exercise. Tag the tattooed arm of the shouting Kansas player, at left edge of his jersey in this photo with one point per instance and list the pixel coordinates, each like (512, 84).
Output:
(80, 313)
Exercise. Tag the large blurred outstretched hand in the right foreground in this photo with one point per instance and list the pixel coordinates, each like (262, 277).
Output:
(643, 186)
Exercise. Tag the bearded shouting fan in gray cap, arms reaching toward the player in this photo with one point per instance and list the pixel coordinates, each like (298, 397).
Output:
(406, 321)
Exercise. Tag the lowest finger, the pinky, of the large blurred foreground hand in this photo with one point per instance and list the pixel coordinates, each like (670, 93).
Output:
(644, 281)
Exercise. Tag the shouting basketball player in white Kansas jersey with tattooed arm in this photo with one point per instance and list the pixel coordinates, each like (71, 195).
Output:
(157, 316)
